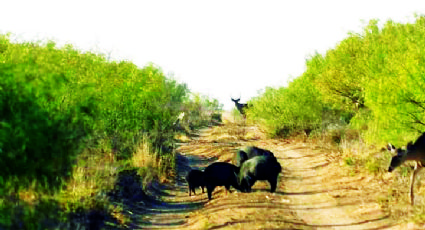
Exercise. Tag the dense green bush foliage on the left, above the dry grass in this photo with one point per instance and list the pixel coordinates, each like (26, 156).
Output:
(54, 100)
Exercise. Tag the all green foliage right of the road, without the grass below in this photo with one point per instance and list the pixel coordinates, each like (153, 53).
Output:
(373, 80)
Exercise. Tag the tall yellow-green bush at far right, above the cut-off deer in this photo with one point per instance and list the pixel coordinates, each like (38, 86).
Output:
(377, 75)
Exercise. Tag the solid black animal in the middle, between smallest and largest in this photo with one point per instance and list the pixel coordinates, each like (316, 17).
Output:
(221, 174)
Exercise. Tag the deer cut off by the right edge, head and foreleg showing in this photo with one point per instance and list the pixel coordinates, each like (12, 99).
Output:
(413, 152)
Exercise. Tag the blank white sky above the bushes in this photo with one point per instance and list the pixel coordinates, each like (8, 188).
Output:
(219, 48)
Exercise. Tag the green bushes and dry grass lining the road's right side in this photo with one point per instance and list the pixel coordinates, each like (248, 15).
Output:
(367, 91)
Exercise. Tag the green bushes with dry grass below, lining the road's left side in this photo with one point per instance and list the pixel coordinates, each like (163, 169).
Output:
(72, 122)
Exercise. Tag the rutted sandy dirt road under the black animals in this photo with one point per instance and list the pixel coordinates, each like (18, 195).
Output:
(314, 190)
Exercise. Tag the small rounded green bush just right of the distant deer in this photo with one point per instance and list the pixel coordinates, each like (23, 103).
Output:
(287, 110)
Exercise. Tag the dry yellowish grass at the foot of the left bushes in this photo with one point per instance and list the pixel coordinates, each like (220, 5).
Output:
(97, 172)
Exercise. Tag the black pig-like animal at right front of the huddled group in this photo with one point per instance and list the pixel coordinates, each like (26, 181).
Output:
(259, 168)
